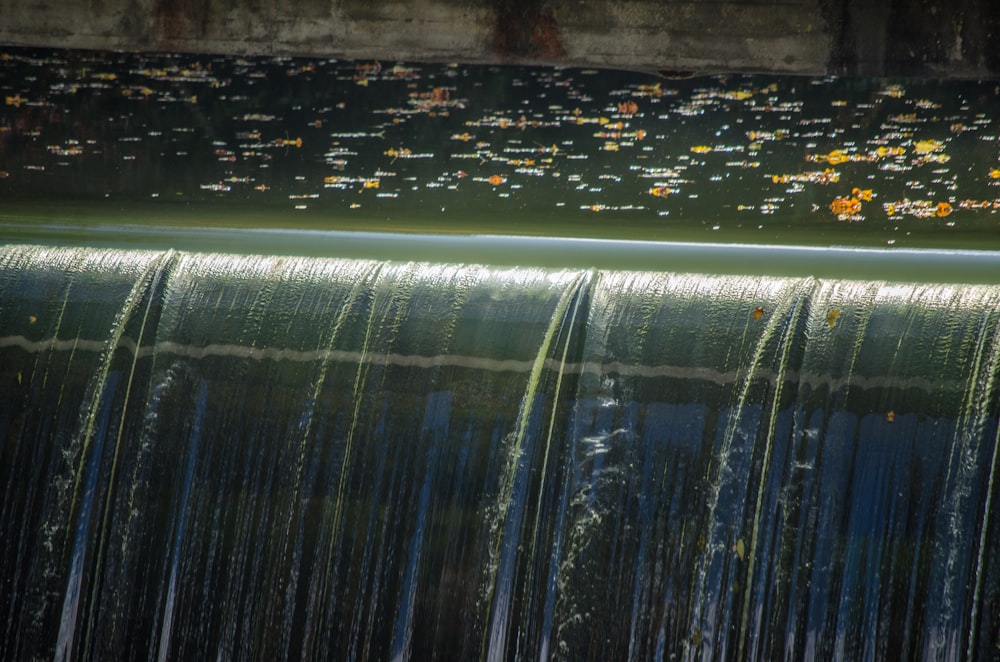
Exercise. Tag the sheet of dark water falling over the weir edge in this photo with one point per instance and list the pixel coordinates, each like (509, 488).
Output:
(228, 457)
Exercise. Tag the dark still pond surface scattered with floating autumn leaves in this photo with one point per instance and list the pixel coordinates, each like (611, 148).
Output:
(214, 140)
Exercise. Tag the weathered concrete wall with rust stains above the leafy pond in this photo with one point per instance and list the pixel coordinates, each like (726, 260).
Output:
(941, 38)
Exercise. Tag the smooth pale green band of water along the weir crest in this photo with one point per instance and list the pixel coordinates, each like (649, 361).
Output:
(915, 265)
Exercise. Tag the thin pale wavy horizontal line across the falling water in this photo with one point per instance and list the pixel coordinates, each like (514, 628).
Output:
(282, 354)
